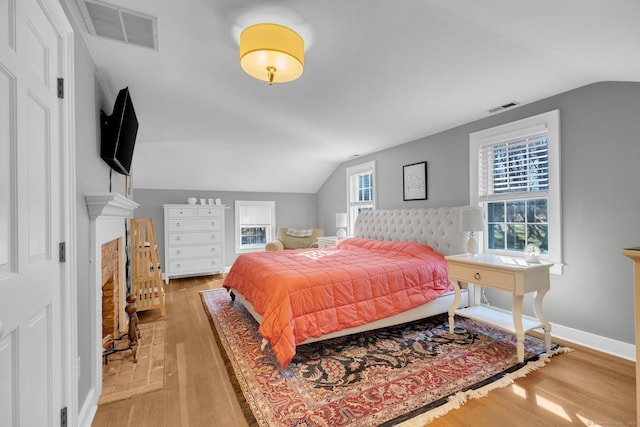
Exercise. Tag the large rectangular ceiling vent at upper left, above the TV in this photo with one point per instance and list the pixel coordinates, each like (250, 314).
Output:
(117, 23)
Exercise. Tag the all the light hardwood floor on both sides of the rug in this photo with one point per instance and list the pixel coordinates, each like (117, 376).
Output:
(583, 387)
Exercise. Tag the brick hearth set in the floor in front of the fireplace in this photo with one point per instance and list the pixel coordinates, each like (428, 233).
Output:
(121, 378)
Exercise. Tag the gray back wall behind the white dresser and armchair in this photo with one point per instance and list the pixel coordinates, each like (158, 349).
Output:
(292, 210)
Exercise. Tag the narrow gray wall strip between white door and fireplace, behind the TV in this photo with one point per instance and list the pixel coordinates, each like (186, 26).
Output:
(92, 176)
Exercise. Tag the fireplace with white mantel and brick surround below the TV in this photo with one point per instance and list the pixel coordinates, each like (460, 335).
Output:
(109, 215)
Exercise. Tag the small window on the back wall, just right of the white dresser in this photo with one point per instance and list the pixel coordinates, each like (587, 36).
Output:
(255, 224)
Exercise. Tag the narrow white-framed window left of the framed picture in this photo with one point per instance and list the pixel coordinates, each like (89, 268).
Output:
(360, 191)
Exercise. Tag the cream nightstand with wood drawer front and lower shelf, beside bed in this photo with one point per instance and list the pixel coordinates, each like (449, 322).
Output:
(507, 274)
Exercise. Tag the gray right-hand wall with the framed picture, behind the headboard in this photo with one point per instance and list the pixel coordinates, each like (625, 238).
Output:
(600, 132)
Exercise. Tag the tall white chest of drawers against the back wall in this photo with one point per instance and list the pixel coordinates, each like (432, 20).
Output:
(193, 240)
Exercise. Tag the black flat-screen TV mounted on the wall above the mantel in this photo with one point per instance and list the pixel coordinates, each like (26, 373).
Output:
(118, 133)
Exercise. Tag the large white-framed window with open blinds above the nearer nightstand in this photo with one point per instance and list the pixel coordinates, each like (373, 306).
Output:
(515, 177)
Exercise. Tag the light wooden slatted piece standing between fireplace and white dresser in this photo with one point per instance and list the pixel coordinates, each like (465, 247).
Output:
(146, 277)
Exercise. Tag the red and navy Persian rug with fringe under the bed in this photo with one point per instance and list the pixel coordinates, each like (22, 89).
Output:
(403, 375)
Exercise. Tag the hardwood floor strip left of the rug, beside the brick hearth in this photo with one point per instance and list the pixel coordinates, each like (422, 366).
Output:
(197, 391)
